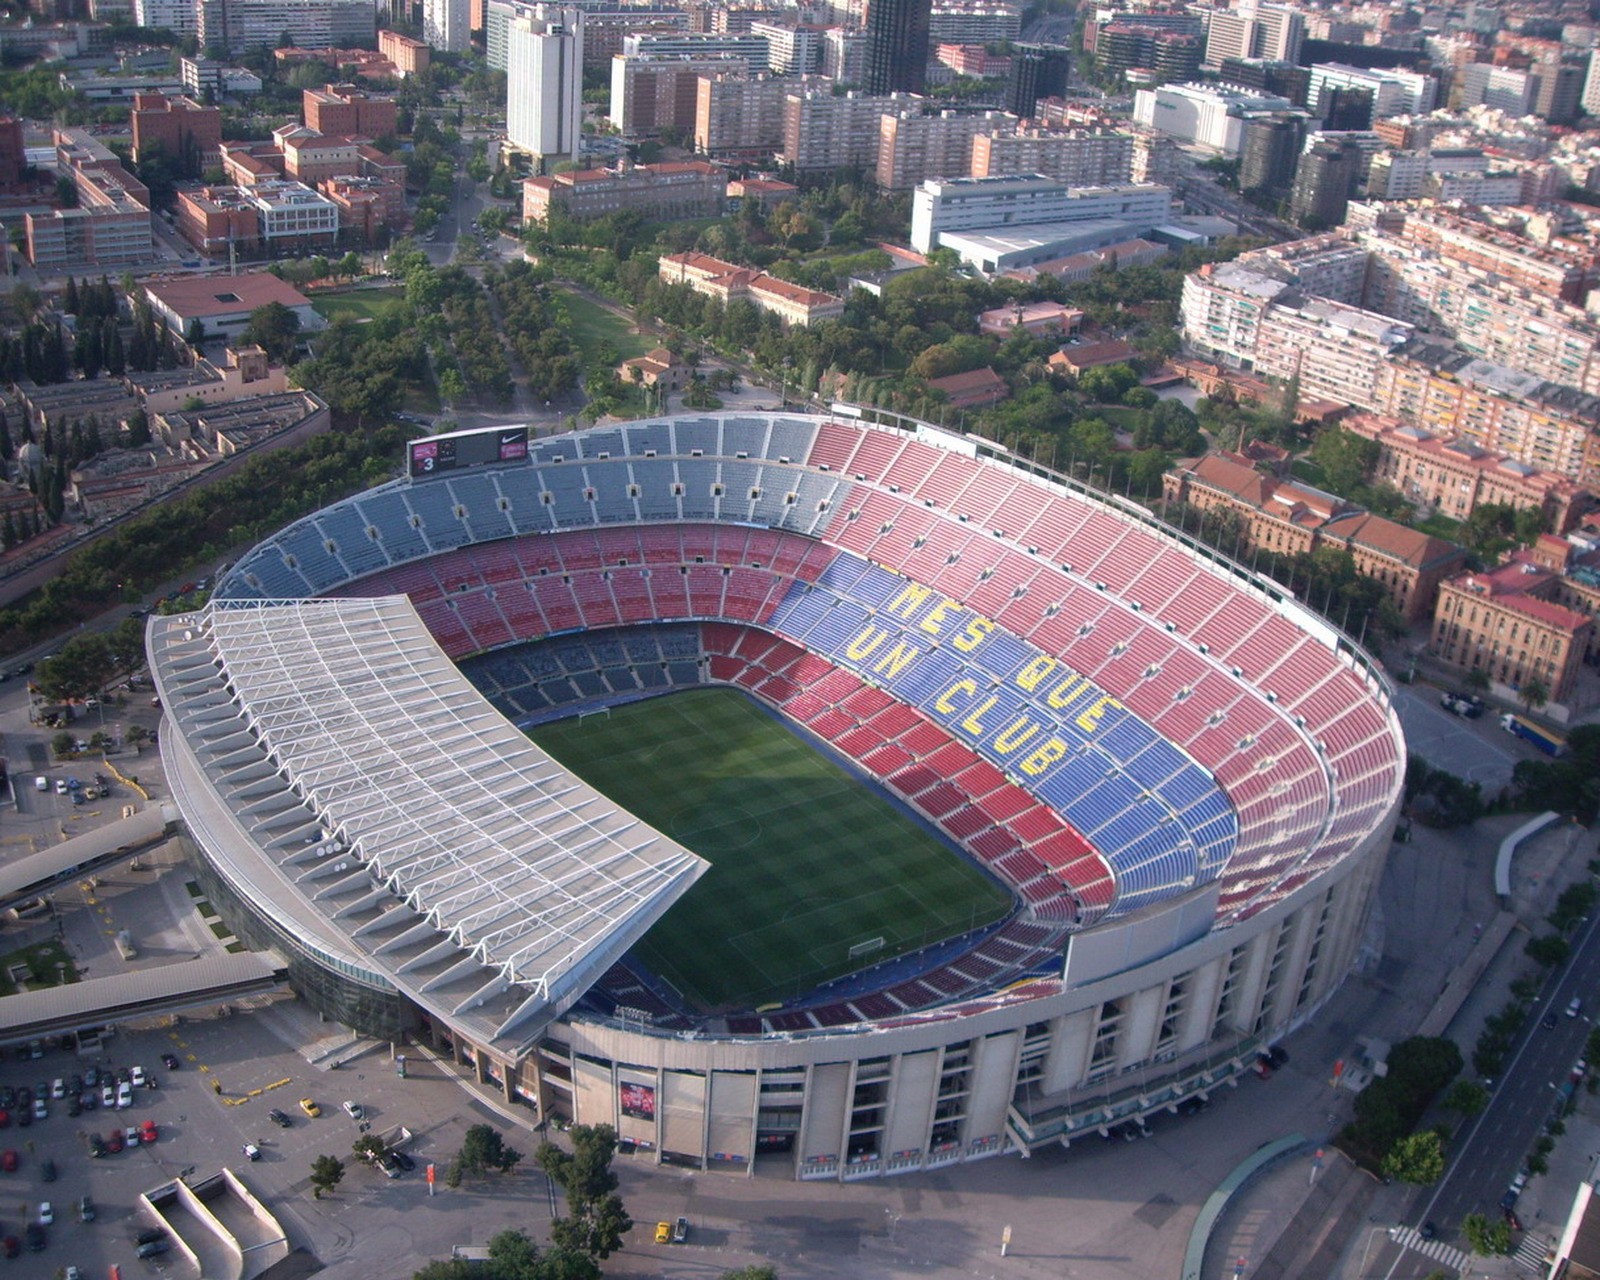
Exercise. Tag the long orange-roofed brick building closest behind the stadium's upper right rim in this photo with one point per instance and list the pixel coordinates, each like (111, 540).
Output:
(1287, 518)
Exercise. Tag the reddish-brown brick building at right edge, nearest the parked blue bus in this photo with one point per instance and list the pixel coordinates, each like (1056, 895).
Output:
(1506, 623)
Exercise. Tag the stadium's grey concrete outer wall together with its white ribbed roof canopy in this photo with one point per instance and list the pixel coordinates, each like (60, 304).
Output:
(303, 746)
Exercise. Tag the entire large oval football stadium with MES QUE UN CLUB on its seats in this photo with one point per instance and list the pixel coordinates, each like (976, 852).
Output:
(825, 796)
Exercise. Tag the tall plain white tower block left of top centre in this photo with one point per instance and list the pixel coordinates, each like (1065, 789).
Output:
(545, 74)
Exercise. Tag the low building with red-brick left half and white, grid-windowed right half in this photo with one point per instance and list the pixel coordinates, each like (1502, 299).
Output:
(268, 218)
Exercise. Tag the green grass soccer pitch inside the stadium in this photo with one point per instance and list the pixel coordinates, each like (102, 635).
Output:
(807, 860)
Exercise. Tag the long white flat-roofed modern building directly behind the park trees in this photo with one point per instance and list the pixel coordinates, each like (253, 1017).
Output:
(1028, 201)
